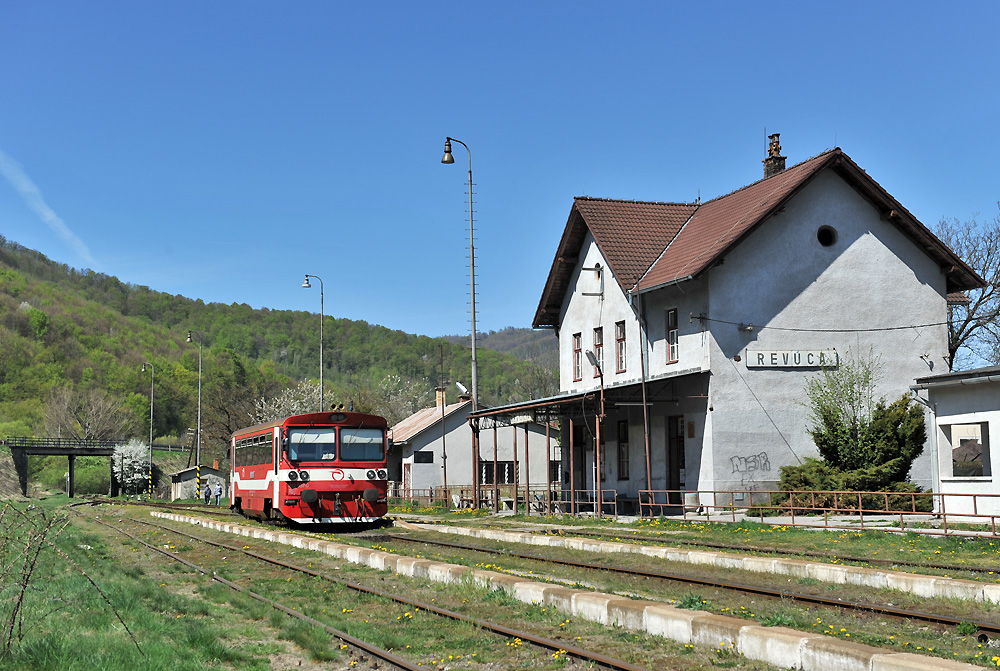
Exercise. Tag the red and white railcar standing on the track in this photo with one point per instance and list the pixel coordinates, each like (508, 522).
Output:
(317, 468)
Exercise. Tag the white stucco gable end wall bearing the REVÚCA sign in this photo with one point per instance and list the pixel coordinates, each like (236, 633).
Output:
(781, 277)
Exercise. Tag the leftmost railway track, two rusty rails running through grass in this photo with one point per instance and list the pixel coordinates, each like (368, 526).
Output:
(552, 645)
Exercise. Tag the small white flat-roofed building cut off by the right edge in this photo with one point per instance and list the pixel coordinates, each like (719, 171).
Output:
(964, 430)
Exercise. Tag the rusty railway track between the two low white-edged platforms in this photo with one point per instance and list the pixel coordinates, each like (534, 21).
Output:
(932, 618)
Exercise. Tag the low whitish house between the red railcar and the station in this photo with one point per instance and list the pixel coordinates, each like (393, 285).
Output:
(431, 458)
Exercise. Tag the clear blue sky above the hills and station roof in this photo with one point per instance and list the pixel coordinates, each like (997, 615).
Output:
(222, 150)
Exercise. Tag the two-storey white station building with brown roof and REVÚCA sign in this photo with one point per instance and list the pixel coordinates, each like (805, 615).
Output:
(687, 330)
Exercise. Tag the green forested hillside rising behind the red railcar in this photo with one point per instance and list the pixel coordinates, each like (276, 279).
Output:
(74, 342)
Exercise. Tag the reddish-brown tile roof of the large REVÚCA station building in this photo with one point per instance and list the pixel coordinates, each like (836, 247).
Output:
(648, 244)
